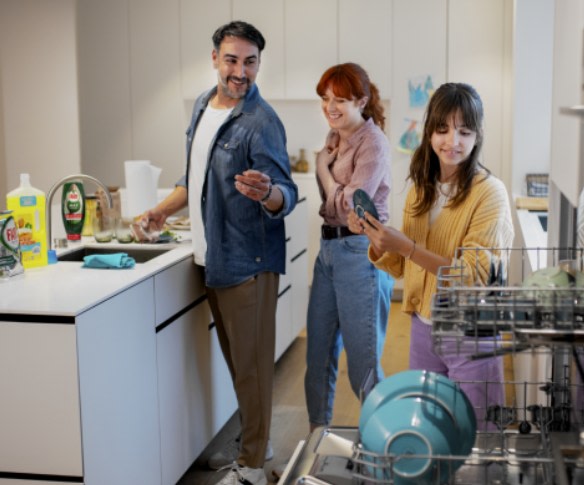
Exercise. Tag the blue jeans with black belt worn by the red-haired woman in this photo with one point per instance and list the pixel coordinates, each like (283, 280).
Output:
(349, 303)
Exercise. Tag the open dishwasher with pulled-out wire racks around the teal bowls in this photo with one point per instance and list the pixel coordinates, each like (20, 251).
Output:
(537, 435)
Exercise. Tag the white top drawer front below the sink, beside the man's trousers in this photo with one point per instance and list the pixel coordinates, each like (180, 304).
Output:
(177, 287)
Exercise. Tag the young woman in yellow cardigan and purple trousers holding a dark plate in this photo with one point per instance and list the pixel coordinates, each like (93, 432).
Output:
(454, 202)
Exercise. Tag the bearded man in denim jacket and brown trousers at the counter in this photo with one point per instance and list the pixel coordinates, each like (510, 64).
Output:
(238, 187)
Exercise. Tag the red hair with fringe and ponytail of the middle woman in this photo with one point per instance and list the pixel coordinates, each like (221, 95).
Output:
(351, 81)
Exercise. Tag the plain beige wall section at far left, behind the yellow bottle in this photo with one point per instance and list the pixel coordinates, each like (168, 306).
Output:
(38, 90)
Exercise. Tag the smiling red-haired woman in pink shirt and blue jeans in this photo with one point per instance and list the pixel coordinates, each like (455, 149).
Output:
(349, 299)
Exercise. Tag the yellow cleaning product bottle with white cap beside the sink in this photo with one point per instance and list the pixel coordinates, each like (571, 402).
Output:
(28, 209)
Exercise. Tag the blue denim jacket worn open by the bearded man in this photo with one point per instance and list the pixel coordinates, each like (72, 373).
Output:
(243, 237)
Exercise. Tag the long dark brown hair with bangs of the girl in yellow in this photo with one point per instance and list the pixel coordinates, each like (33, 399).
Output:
(448, 100)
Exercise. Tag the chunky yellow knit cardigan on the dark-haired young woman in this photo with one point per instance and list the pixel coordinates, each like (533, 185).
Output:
(483, 220)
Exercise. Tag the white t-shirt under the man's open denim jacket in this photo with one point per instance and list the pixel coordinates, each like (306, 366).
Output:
(207, 128)
